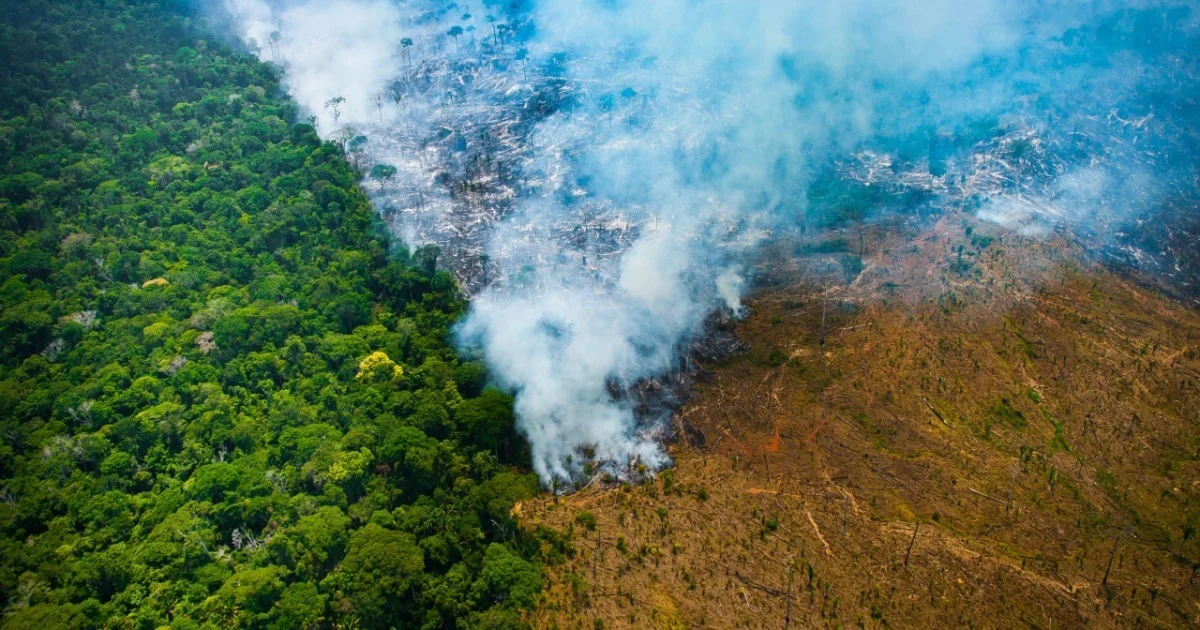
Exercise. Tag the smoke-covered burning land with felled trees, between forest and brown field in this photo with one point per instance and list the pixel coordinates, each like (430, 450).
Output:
(602, 211)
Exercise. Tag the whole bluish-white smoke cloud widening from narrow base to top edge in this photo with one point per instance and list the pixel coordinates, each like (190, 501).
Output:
(645, 147)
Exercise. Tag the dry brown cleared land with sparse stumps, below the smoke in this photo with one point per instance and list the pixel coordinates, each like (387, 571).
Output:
(1006, 437)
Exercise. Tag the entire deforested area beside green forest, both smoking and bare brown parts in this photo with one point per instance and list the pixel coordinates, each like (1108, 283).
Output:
(815, 319)
